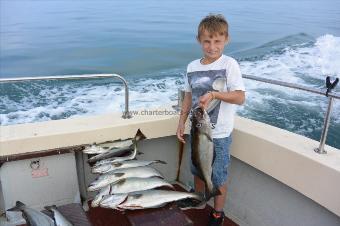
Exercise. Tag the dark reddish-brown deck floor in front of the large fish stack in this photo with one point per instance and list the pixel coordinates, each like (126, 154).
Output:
(167, 215)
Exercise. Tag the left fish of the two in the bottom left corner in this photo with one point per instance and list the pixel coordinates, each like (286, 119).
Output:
(33, 217)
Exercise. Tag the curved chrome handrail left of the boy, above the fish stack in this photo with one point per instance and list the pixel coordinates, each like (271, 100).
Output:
(126, 113)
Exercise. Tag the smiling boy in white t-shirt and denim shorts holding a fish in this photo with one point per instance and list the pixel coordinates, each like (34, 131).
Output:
(201, 87)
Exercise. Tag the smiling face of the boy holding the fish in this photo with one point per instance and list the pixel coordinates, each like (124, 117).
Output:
(212, 45)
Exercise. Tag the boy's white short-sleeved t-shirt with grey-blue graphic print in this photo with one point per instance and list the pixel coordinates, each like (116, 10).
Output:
(201, 78)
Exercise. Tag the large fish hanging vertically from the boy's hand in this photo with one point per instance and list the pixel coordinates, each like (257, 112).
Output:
(203, 149)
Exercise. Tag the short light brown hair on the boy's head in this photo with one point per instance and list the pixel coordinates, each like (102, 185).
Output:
(214, 24)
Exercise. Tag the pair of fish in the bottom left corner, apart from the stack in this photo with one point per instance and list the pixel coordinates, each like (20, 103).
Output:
(36, 218)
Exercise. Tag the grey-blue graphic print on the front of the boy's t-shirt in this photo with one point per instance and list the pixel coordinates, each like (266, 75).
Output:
(201, 82)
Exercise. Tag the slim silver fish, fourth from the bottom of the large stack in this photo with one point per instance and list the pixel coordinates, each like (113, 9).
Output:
(104, 168)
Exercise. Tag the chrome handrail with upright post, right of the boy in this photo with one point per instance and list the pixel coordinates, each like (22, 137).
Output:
(330, 95)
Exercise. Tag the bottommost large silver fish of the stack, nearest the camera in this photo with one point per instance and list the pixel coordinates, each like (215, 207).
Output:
(154, 199)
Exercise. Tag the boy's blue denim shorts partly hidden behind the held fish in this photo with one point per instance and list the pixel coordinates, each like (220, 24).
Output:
(220, 163)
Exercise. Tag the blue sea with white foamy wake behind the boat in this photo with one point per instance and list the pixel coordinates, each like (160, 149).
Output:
(151, 42)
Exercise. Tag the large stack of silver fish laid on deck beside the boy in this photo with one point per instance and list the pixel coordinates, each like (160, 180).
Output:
(126, 183)
